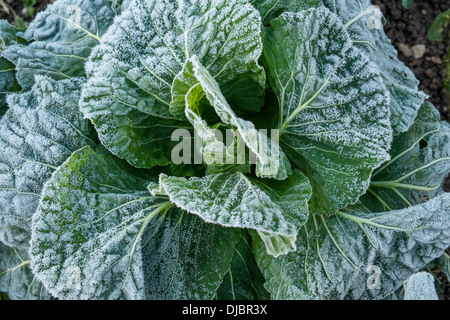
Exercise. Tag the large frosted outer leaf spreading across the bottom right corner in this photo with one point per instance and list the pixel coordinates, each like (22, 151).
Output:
(358, 254)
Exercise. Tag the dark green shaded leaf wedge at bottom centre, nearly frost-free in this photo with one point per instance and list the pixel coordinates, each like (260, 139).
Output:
(244, 280)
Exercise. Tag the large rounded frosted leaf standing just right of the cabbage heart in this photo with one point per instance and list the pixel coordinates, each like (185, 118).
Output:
(334, 108)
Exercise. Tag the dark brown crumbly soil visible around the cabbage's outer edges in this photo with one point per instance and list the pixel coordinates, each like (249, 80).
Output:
(405, 27)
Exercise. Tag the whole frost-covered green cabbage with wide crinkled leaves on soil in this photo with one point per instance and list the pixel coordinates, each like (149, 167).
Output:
(113, 183)
